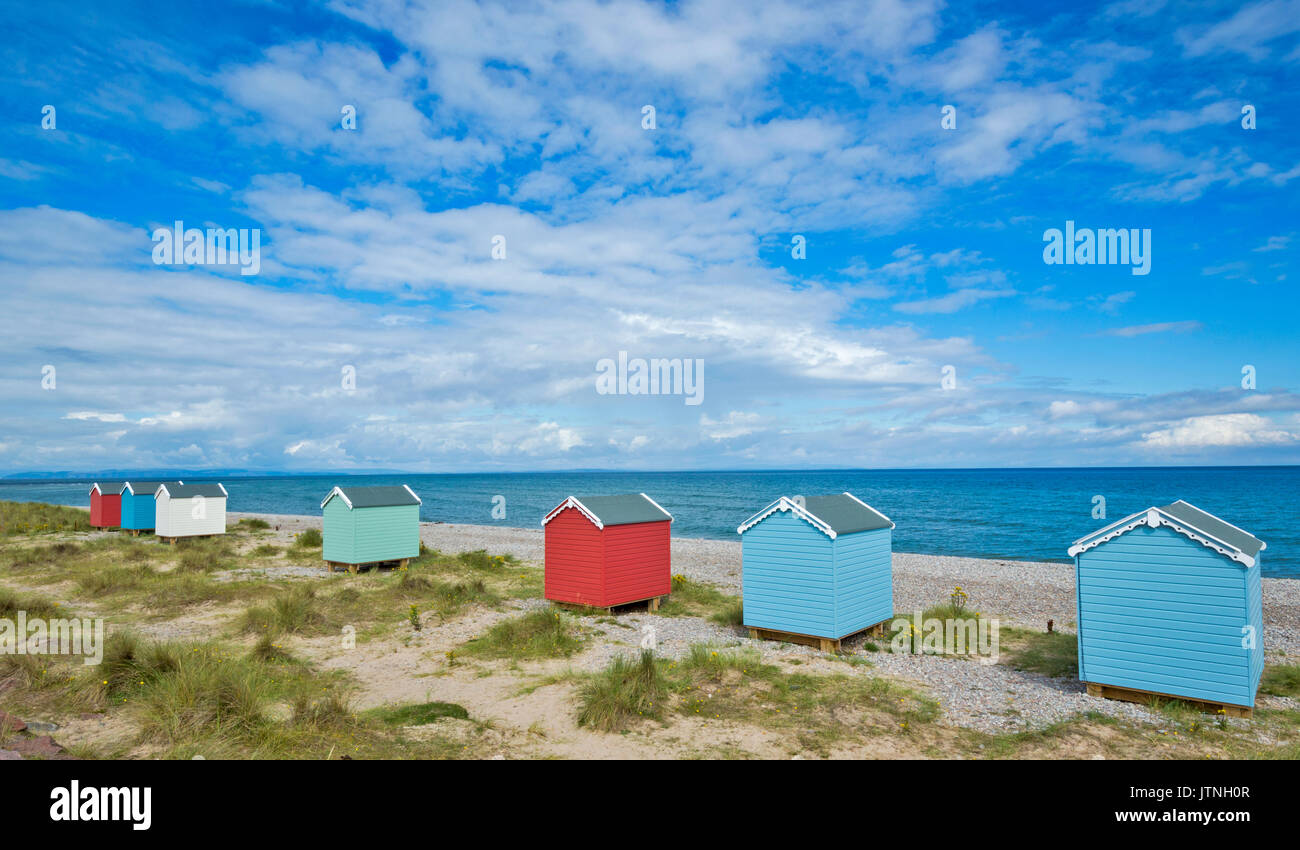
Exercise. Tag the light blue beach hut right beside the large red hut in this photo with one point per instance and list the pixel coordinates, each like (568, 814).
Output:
(816, 571)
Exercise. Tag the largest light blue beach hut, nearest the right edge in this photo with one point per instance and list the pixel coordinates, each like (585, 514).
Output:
(1169, 604)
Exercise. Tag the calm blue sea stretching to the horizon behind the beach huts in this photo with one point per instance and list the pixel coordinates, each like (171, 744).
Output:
(1009, 514)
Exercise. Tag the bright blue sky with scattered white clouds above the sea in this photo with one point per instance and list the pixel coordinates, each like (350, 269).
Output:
(525, 120)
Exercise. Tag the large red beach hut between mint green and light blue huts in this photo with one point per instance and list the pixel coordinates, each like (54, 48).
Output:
(605, 552)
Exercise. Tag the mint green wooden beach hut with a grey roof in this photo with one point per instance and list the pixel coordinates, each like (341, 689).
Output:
(370, 526)
